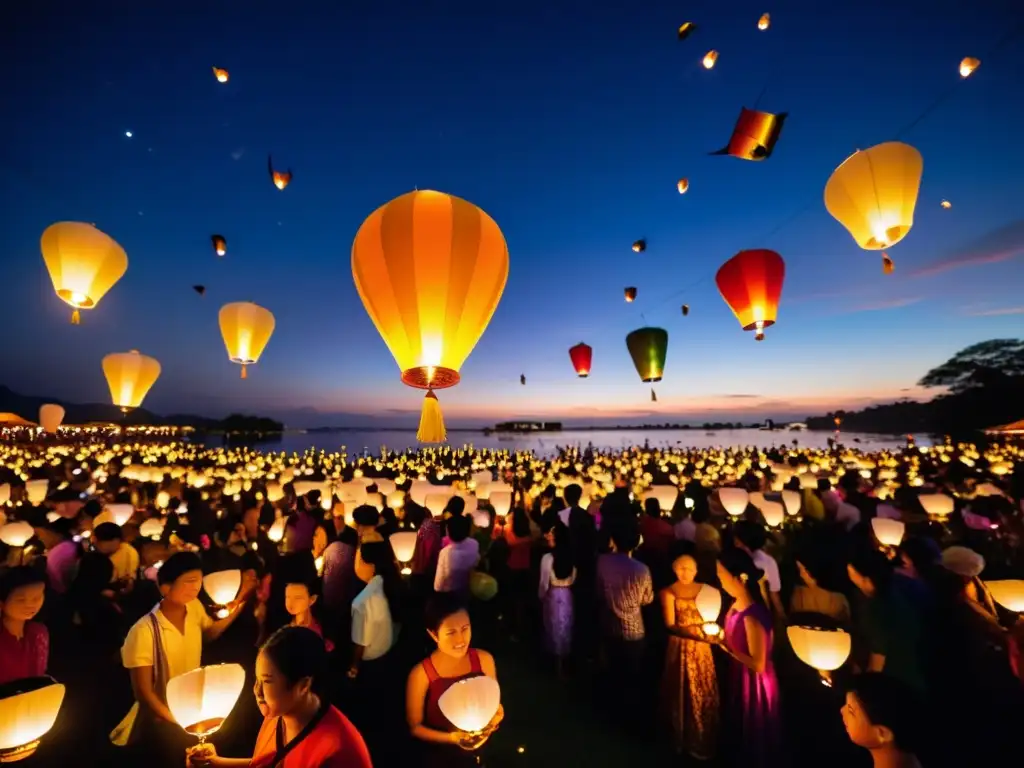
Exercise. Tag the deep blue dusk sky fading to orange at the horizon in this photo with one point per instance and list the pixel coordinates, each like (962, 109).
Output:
(570, 123)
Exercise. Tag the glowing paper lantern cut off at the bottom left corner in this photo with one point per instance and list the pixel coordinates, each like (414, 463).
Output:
(28, 710)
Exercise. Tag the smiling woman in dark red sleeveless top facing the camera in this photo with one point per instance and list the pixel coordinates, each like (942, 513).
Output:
(448, 625)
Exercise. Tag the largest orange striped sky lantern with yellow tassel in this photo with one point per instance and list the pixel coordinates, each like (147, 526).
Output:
(431, 269)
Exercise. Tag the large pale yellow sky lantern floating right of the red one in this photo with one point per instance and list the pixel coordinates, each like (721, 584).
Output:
(874, 193)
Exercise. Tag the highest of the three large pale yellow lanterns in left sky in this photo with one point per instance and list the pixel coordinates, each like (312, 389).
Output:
(83, 263)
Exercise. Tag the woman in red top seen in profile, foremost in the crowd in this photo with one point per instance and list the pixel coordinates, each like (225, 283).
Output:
(301, 730)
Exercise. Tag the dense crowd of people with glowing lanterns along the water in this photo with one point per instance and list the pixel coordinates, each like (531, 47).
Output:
(350, 643)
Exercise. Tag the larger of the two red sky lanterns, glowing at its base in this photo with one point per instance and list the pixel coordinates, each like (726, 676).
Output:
(751, 283)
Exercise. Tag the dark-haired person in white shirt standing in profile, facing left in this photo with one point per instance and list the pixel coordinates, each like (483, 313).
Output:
(373, 630)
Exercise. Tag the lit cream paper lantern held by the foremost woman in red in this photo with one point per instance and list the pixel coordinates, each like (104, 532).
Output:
(202, 700)
